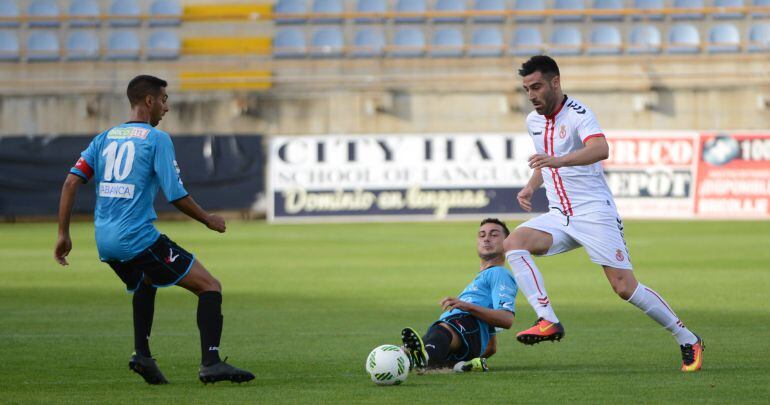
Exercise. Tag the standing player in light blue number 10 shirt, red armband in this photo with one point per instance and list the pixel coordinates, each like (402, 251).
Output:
(130, 162)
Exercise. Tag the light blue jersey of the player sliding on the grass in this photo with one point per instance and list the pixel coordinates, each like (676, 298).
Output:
(492, 288)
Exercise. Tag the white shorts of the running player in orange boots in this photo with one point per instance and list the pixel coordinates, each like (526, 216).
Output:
(599, 232)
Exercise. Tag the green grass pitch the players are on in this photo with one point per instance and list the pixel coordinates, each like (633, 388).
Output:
(304, 305)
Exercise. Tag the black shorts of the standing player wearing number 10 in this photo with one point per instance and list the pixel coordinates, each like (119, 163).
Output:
(164, 262)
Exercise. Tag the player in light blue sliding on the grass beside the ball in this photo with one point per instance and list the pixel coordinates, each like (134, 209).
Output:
(464, 336)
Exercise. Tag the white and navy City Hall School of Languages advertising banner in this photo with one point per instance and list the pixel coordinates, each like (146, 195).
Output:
(398, 177)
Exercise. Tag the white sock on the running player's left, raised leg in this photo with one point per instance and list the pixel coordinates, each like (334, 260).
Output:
(530, 282)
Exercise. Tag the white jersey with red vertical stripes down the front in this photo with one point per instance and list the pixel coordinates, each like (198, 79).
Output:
(573, 190)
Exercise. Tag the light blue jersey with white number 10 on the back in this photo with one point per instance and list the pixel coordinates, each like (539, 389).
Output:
(129, 162)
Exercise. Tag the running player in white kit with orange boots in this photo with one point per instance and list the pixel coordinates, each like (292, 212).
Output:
(569, 145)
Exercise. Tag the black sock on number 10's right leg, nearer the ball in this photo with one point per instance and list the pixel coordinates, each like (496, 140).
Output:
(210, 325)
